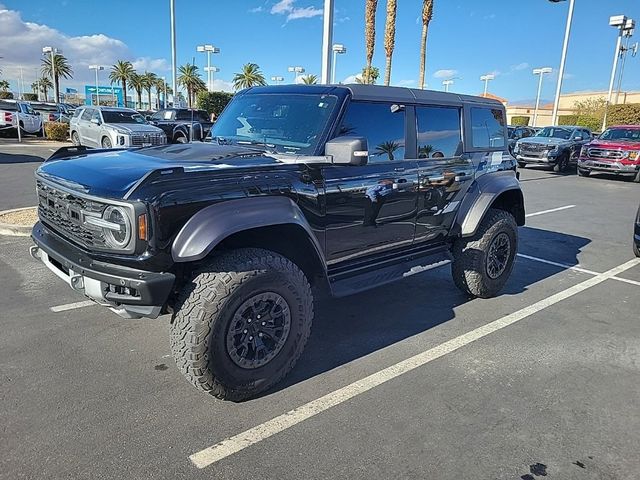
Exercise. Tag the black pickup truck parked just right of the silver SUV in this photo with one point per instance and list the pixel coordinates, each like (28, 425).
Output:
(178, 122)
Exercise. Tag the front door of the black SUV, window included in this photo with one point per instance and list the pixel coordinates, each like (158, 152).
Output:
(371, 208)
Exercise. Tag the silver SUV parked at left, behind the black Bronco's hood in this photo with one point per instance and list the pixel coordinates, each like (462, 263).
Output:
(109, 127)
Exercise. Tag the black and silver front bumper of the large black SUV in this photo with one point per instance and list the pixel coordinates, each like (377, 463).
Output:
(126, 291)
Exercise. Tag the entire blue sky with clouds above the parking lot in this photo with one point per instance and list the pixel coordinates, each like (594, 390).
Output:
(467, 38)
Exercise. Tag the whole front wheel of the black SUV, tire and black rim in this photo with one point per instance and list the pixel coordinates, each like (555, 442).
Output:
(241, 323)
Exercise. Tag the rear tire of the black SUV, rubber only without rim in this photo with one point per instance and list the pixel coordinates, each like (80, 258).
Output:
(469, 266)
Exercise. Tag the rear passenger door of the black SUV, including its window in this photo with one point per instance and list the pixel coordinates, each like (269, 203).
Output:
(444, 172)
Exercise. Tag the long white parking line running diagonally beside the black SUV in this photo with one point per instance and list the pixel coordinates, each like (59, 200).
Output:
(278, 424)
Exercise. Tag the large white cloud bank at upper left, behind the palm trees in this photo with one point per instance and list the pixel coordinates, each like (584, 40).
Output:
(22, 43)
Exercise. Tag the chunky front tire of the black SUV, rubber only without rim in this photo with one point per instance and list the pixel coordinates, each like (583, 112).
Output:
(205, 309)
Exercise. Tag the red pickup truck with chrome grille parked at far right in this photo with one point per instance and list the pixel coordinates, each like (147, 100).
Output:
(616, 151)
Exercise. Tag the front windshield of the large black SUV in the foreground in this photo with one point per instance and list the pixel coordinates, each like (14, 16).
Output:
(289, 123)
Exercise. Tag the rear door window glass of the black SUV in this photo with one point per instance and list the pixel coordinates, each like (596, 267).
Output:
(439, 133)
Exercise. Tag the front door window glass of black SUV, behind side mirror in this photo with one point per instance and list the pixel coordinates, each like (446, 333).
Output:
(383, 129)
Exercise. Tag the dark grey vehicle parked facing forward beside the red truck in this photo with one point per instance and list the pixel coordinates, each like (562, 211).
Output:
(556, 147)
